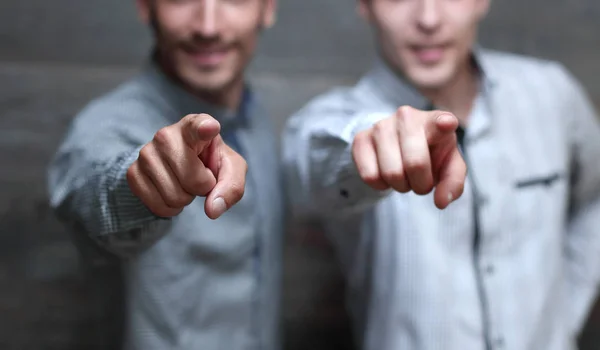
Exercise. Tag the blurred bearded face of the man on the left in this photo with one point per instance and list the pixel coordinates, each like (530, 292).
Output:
(207, 44)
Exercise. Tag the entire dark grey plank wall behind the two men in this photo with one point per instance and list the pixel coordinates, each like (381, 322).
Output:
(56, 55)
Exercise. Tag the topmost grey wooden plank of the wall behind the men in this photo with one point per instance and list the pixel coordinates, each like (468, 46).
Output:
(106, 32)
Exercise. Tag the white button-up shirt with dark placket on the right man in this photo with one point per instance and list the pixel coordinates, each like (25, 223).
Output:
(416, 277)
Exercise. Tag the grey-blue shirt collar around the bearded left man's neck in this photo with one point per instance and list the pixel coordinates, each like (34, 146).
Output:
(185, 103)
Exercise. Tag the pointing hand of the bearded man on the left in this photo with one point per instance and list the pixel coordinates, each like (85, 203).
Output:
(186, 160)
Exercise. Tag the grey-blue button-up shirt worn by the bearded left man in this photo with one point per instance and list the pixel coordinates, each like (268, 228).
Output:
(192, 283)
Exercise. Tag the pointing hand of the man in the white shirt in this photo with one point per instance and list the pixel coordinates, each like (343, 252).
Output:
(412, 150)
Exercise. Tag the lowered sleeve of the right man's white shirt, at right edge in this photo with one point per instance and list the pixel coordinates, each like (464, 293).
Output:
(582, 251)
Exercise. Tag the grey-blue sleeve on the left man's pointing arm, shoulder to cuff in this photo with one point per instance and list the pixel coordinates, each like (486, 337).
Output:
(88, 187)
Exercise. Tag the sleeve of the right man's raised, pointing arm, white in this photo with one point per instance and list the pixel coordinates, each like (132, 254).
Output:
(321, 177)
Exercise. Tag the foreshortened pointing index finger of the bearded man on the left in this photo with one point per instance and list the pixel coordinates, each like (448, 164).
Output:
(198, 131)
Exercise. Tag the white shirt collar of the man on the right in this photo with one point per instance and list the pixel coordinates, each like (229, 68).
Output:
(397, 90)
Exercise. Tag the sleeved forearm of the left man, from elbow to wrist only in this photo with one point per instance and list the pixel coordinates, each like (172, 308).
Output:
(94, 196)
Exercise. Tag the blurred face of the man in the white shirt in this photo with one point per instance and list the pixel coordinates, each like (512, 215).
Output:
(427, 41)
